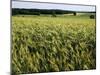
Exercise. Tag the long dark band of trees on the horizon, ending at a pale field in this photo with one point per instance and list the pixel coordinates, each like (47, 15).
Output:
(53, 12)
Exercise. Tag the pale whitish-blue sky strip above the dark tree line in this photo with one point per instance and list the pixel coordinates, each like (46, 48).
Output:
(35, 5)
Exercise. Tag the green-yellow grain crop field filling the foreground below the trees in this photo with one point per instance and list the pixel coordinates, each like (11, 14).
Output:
(53, 44)
